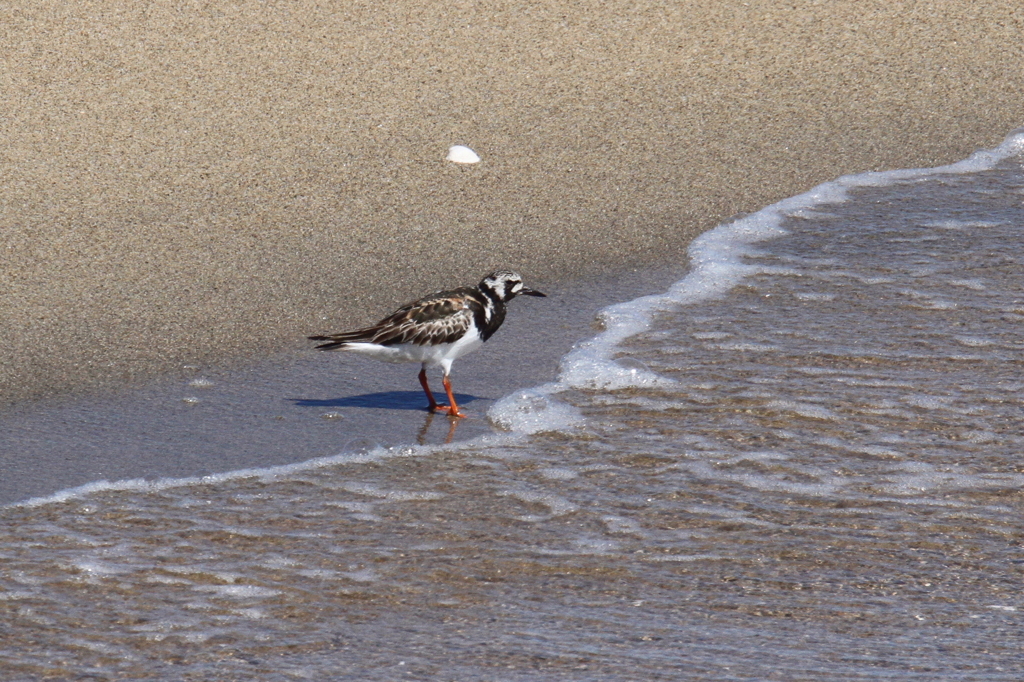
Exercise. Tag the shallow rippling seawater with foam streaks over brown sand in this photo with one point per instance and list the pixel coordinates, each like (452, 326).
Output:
(819, 476)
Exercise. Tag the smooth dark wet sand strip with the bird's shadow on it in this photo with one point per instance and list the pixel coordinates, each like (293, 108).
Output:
(293, 406)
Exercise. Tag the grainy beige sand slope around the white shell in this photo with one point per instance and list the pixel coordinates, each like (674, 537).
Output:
(188, 183)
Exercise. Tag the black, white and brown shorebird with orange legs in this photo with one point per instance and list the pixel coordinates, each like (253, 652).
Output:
(437, 330)
